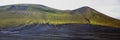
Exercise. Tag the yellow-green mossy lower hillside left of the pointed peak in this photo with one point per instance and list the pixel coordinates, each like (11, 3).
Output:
(15, 18)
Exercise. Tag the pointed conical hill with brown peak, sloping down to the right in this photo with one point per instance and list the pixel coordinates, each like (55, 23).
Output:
(95, 17)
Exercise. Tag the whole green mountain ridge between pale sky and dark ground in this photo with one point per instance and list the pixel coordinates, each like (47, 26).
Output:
(26, 14)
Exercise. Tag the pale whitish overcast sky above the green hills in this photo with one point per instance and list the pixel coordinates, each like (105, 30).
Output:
(108, 7)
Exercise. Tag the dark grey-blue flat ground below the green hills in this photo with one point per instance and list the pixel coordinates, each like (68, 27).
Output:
(60, 32)
